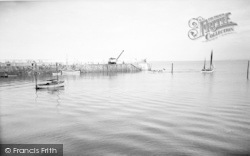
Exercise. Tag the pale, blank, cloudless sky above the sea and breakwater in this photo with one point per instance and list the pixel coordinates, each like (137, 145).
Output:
(95, 30)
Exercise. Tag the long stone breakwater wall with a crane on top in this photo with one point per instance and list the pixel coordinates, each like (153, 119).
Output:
(84, 68)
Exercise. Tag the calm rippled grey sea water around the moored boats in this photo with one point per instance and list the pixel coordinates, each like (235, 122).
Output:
(145, 113)
